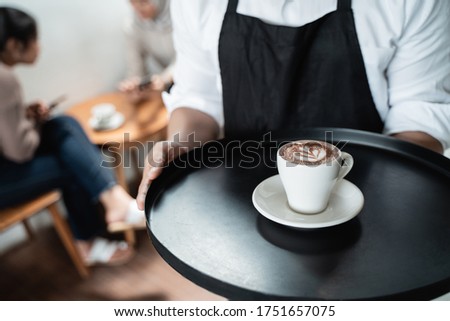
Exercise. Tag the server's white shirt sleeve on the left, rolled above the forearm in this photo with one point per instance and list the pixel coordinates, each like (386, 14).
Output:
(195, 74)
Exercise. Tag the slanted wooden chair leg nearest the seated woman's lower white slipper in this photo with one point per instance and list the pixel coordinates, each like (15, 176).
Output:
(66, 236)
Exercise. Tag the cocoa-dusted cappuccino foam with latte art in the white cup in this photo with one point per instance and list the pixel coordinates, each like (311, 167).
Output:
(308, 152)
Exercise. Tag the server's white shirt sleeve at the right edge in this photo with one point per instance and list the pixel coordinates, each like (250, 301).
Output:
(419, 73)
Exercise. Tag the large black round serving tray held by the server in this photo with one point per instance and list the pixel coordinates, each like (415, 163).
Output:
(202, 221)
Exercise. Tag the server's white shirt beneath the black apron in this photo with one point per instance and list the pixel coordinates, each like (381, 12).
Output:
(405, 46)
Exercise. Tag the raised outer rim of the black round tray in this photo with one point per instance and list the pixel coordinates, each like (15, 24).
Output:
(405, 149)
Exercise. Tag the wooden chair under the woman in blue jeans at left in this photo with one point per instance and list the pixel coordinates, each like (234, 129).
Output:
(21, 213)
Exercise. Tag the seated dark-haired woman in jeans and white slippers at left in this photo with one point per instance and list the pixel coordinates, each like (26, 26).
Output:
(39, 154)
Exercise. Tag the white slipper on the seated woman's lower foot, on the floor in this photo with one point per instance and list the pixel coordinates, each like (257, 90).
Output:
(102, 251)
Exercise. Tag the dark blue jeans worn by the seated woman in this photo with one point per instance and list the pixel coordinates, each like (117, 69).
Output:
(65, 160)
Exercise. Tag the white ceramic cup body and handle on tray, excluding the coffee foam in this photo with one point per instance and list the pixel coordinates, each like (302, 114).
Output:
(308, 187)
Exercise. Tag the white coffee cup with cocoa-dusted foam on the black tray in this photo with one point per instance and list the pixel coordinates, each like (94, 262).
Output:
(309, 171)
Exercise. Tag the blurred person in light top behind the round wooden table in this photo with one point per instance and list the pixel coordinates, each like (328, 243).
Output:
(150, 51)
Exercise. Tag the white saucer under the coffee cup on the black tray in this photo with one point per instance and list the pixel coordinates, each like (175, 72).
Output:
(269, 198)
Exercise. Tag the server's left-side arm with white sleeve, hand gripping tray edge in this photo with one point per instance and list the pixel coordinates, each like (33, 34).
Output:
(194, 102)
